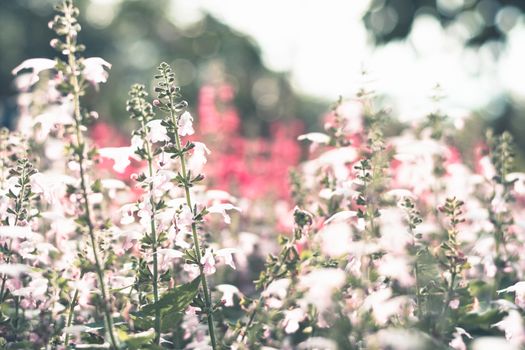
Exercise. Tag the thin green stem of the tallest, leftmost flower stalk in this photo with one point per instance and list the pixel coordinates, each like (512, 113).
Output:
(87, 211)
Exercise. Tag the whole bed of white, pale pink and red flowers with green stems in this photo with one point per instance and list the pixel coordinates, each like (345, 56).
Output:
(398, 240)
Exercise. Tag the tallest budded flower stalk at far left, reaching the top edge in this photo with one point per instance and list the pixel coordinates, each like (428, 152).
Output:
(66, 26)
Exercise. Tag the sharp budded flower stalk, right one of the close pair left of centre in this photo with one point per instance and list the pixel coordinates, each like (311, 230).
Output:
(168, 94)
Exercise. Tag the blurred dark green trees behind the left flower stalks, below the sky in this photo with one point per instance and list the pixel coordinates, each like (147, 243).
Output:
(135, 38)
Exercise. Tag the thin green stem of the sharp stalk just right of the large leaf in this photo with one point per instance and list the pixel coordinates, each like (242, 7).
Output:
(205, 289)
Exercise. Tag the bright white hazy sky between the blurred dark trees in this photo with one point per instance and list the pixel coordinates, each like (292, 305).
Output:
(324, 46)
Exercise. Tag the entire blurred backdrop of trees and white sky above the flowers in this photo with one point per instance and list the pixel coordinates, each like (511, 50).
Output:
(285, 62)
